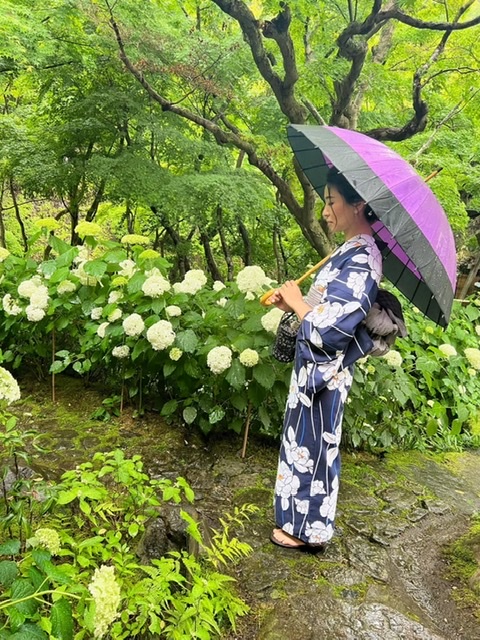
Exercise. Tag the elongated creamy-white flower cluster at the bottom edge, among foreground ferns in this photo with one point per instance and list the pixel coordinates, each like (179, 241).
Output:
(106, 595)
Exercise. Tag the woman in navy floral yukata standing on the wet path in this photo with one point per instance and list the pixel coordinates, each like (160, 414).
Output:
(330, 338)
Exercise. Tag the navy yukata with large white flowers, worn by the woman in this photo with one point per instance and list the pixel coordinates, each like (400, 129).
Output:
(307, 485)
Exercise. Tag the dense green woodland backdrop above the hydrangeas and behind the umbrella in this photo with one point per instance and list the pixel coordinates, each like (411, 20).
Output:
(168, 118)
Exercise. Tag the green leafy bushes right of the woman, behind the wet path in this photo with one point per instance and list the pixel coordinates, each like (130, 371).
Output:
(431, 399)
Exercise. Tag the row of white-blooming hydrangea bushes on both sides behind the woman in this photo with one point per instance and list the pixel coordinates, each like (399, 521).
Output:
(201, 352)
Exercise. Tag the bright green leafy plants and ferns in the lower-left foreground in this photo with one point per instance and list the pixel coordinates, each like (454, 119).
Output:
(71, 579)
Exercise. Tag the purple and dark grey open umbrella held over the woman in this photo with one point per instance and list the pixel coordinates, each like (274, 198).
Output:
(410, 226)
